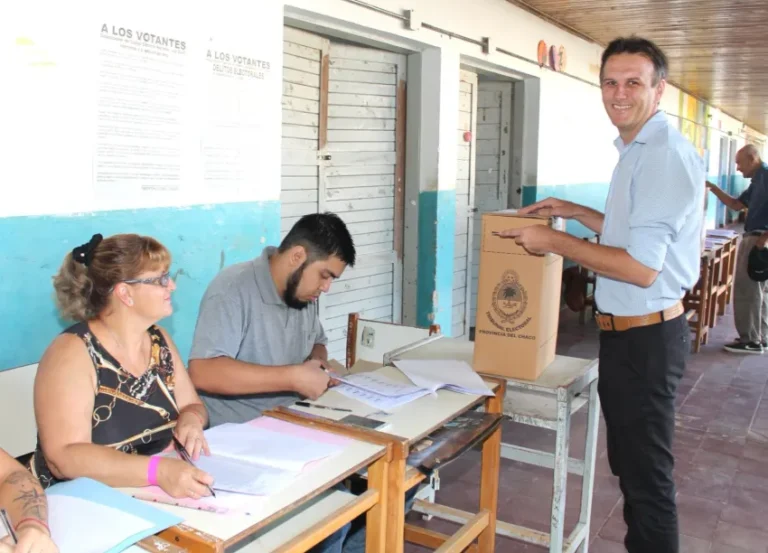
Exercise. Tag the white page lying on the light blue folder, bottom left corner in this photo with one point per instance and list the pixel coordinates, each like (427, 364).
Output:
(73, 528)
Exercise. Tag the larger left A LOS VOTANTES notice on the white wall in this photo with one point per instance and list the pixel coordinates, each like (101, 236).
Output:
(142, 113)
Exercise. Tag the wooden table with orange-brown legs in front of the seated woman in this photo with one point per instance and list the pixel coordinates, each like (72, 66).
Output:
(300, 516)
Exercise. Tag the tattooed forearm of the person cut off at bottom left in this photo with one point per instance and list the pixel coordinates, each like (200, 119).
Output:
(23, 498)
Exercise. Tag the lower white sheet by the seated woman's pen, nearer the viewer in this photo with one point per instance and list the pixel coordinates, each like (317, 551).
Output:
(235, 476)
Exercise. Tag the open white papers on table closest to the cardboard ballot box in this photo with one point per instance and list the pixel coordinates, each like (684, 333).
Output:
(434, 374)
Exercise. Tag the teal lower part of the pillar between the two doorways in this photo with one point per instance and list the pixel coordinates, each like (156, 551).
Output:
(437, 229)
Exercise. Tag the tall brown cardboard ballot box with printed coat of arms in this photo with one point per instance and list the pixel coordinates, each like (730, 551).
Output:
(518, 301)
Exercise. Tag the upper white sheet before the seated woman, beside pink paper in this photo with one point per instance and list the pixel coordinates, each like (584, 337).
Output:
(258, 446)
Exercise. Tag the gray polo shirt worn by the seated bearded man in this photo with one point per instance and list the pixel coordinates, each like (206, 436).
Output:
(243, 317)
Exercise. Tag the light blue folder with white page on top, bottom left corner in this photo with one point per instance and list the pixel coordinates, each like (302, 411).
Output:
(76, 508)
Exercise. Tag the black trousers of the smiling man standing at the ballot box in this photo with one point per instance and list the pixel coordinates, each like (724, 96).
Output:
(640, 370)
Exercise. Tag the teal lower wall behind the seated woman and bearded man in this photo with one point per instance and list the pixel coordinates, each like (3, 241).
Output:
(201, 239)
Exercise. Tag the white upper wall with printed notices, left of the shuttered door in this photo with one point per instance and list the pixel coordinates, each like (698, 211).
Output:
(67, 79)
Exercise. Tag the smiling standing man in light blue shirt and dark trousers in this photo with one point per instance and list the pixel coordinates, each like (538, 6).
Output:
(647, 258)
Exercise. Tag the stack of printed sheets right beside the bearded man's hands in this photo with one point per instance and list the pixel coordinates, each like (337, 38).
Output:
(378, 391)
